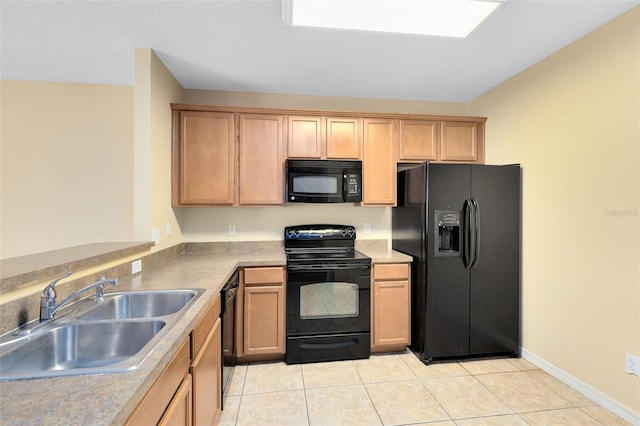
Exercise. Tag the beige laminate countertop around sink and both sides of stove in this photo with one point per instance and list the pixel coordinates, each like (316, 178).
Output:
(109, 399)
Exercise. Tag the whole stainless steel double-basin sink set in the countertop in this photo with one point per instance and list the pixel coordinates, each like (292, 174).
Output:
(92, 337)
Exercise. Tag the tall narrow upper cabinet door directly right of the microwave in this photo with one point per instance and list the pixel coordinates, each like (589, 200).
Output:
(379, 162)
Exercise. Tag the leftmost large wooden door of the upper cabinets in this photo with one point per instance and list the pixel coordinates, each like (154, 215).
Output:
(206, 158)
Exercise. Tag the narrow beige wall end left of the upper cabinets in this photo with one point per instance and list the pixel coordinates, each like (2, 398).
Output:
(155, 89)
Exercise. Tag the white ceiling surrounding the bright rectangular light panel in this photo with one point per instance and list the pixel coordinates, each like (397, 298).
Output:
(243, 45)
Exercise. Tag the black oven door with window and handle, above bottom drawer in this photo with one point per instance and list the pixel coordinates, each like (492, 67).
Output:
(329, 299)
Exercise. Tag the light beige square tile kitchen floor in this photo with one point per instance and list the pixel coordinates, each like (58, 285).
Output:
(397, 389)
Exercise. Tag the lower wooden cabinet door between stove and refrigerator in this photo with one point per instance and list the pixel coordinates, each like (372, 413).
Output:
(390, 313)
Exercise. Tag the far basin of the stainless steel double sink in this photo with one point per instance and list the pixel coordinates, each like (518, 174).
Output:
(139, 304)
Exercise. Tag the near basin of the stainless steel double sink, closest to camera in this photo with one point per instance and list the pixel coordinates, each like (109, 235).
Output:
(80, 348)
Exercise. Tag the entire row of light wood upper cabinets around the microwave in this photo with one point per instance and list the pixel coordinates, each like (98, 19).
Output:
(235, 156)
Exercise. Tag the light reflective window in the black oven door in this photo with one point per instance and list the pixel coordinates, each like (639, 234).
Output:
(329, 300)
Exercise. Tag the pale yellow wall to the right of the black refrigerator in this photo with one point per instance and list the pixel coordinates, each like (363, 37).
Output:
(573, 122)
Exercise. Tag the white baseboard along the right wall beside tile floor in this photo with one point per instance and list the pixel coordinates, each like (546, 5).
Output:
(589, 391)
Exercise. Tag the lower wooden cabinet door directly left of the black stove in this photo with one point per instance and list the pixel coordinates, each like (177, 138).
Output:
(264, 328)
